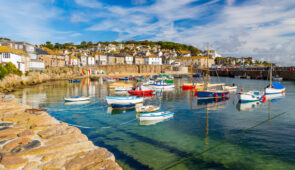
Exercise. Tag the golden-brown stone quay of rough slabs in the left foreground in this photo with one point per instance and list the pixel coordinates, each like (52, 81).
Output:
(32, 139)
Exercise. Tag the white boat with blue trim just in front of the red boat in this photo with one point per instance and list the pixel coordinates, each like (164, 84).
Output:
(124, 100)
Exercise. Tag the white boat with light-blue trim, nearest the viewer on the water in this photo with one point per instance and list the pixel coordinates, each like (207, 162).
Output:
(161, 115)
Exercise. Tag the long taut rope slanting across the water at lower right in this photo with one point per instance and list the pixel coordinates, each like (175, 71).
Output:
(221, 143)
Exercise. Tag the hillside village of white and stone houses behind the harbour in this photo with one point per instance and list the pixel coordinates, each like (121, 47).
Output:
(27, 57)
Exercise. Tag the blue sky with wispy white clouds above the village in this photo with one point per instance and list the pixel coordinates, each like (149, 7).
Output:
(259, 28)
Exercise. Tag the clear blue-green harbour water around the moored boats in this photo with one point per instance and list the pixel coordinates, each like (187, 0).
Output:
(198, 130)
